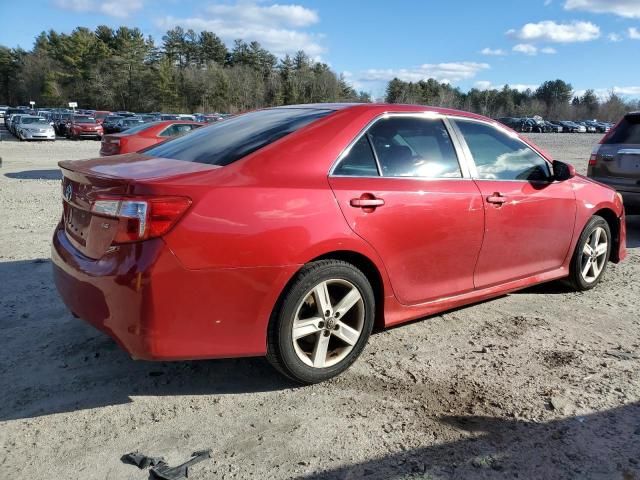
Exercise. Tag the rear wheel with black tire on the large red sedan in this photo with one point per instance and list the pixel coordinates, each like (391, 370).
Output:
(322, 322)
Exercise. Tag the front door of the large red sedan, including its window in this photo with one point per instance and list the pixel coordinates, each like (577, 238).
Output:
(529, 218)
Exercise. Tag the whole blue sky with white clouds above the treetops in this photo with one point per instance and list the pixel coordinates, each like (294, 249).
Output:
(589, 43)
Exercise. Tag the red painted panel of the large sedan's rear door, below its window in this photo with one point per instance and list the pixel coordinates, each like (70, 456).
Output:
(426, 229)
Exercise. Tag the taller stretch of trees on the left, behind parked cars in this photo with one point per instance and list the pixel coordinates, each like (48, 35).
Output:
(122, 69)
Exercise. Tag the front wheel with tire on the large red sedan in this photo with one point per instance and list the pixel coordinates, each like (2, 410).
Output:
(591, 255)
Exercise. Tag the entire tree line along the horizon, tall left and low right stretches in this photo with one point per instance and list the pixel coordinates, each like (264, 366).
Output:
(121, 69)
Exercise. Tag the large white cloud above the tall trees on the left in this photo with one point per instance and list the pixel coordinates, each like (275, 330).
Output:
(277, 27)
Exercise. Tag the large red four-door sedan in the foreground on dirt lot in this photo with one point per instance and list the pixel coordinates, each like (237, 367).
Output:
(292, 232)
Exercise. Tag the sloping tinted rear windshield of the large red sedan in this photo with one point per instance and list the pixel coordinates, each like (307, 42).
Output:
(225, 142)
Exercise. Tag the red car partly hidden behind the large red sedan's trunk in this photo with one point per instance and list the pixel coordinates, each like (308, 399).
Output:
(136, 138)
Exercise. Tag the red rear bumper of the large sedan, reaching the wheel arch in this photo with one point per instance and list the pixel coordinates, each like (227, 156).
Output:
(157, 310)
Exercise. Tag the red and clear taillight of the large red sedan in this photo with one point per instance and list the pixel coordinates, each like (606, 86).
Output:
(142, 218)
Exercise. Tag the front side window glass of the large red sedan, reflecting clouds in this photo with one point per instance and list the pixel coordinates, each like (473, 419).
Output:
(499, 156)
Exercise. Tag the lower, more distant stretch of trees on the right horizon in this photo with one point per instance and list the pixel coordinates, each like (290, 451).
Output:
(554, 99)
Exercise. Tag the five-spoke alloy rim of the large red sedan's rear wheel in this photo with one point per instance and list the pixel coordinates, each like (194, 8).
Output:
(328, 323)
